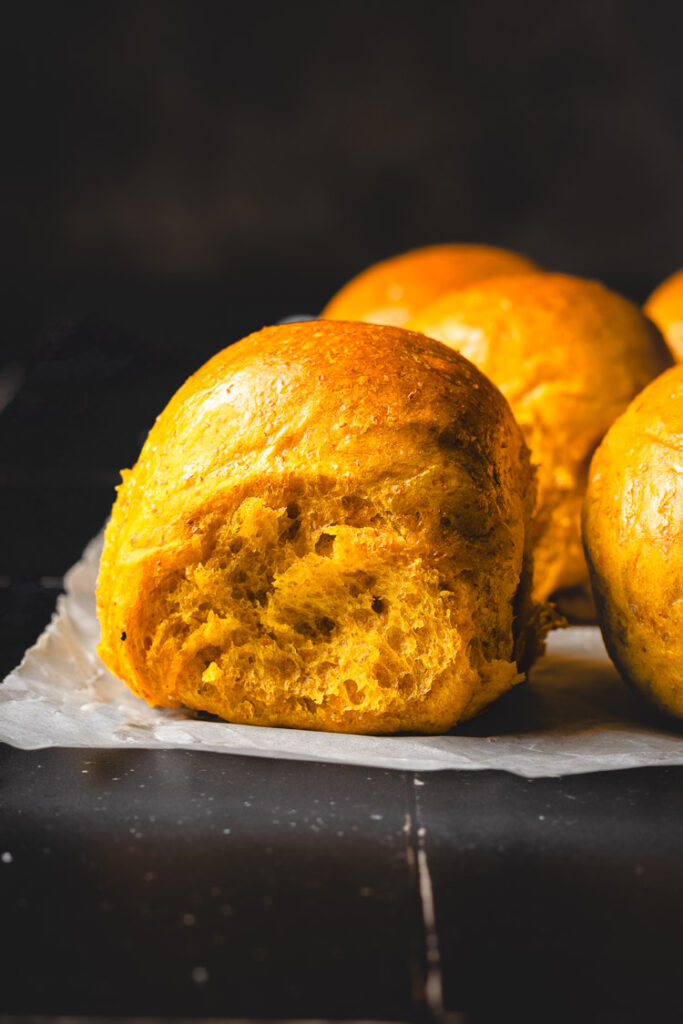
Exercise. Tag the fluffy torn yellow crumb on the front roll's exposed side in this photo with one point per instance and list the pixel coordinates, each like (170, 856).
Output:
(341, 625)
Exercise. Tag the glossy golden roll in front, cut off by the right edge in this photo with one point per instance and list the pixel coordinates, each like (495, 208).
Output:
(633, 533)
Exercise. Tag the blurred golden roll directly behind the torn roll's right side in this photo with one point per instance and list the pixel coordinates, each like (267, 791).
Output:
(569, 356)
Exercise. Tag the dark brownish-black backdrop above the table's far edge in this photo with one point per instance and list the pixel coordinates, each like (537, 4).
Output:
(279, 148)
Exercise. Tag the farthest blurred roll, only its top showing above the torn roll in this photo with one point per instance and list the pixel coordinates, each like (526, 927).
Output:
(397, 289)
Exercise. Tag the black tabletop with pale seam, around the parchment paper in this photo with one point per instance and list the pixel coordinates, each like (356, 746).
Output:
(187, 884)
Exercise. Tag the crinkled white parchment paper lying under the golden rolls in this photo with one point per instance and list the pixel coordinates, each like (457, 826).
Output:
(575, 715)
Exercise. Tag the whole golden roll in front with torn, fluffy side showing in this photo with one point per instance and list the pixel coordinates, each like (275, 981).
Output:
(327, 529)
